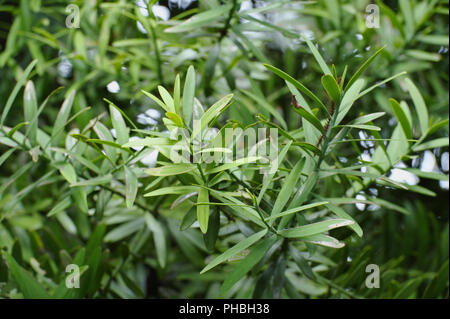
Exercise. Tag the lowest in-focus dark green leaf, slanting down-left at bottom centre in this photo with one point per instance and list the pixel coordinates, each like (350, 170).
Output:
(255, 255)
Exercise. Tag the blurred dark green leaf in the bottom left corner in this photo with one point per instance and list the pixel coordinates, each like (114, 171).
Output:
(29, 287)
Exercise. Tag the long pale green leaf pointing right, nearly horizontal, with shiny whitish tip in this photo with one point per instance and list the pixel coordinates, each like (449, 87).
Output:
(315, 228)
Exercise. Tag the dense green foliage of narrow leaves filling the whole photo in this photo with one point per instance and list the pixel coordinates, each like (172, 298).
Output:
(88, 177)
